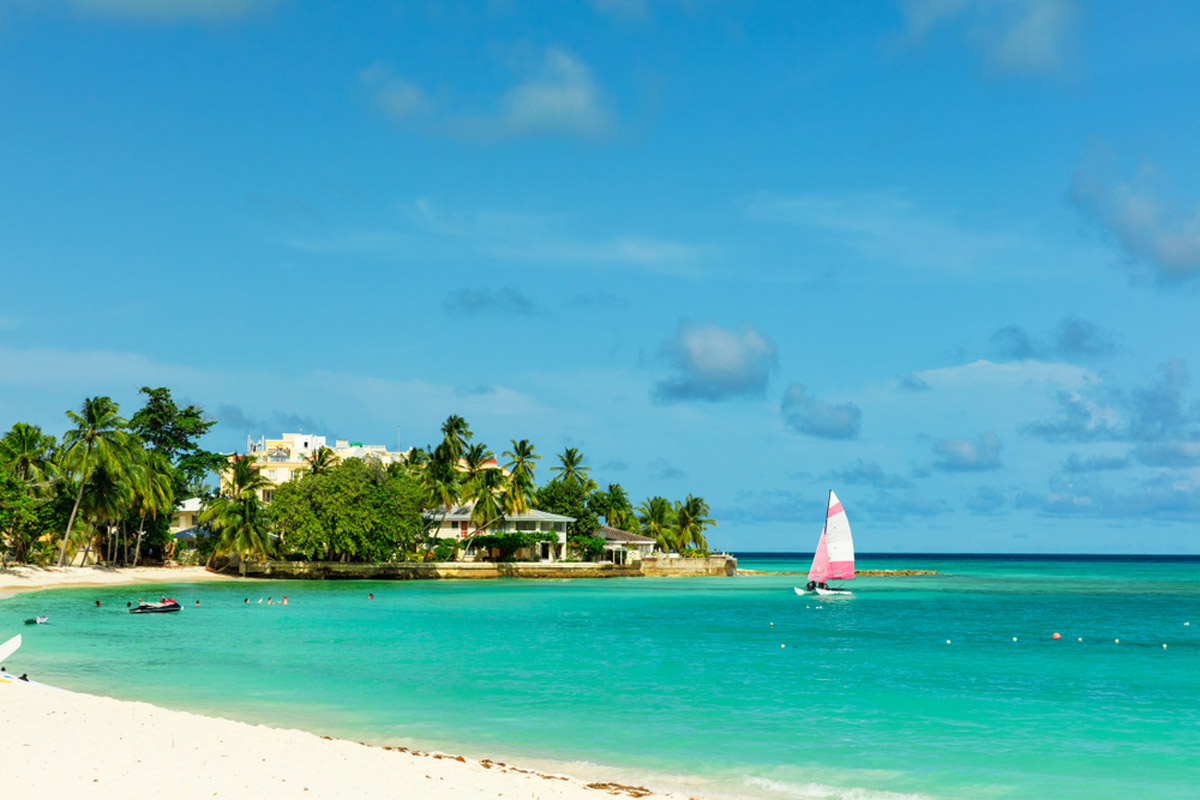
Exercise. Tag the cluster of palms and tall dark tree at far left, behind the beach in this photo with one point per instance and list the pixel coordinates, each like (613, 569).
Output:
(107, 490)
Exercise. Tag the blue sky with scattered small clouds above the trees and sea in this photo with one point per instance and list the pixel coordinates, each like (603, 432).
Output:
(941, 256)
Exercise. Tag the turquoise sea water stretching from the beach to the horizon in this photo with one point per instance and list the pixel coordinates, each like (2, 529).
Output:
(914, 687)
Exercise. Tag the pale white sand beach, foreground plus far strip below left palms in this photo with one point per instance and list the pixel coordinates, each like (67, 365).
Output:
(64, 744)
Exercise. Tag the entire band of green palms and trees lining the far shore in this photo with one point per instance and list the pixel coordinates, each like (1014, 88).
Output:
(109, 490)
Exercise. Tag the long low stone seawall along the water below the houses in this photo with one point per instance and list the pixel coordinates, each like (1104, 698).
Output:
(715, 566)
